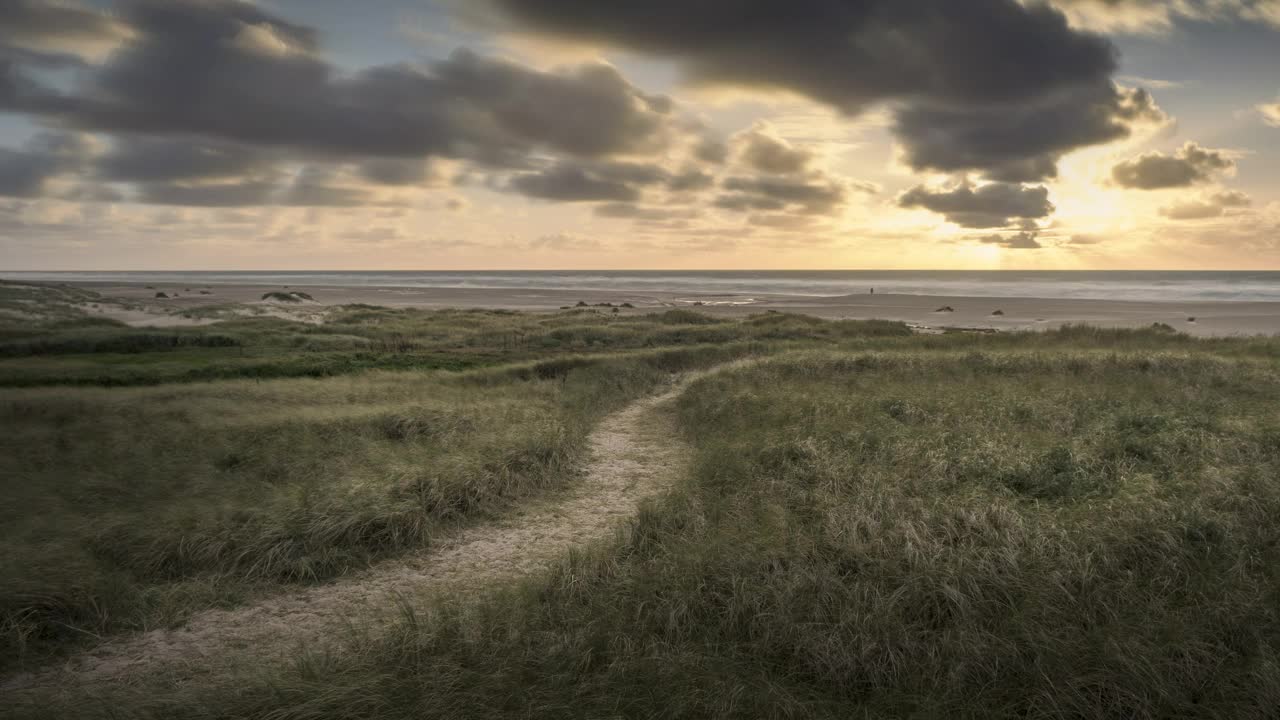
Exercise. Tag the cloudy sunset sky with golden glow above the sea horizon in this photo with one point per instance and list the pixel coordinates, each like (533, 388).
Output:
(639, 135)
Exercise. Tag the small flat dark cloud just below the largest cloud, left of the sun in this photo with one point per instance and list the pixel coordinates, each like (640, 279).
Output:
(989, 207)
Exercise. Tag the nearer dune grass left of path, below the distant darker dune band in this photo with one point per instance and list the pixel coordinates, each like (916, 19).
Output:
(129, 509)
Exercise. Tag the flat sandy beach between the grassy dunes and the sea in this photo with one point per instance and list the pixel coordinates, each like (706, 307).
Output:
(1199, 318)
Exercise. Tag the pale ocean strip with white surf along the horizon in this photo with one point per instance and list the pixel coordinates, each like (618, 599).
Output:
(1118, 285)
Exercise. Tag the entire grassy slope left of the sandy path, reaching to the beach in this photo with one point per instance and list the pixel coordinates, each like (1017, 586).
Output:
(130, 508)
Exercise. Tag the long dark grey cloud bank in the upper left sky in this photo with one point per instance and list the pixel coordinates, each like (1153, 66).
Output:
(231, 71)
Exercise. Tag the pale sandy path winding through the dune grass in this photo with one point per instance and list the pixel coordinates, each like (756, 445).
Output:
(634, 454)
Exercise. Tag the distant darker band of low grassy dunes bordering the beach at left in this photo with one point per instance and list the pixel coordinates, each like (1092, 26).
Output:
(90, 352)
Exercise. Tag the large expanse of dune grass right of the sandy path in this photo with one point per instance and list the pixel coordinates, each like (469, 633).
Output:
(1014, 534)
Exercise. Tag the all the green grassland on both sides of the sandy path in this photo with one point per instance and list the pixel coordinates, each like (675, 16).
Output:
(1069, 525)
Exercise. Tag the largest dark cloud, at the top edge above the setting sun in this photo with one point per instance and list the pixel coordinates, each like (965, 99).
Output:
(991, 86)
